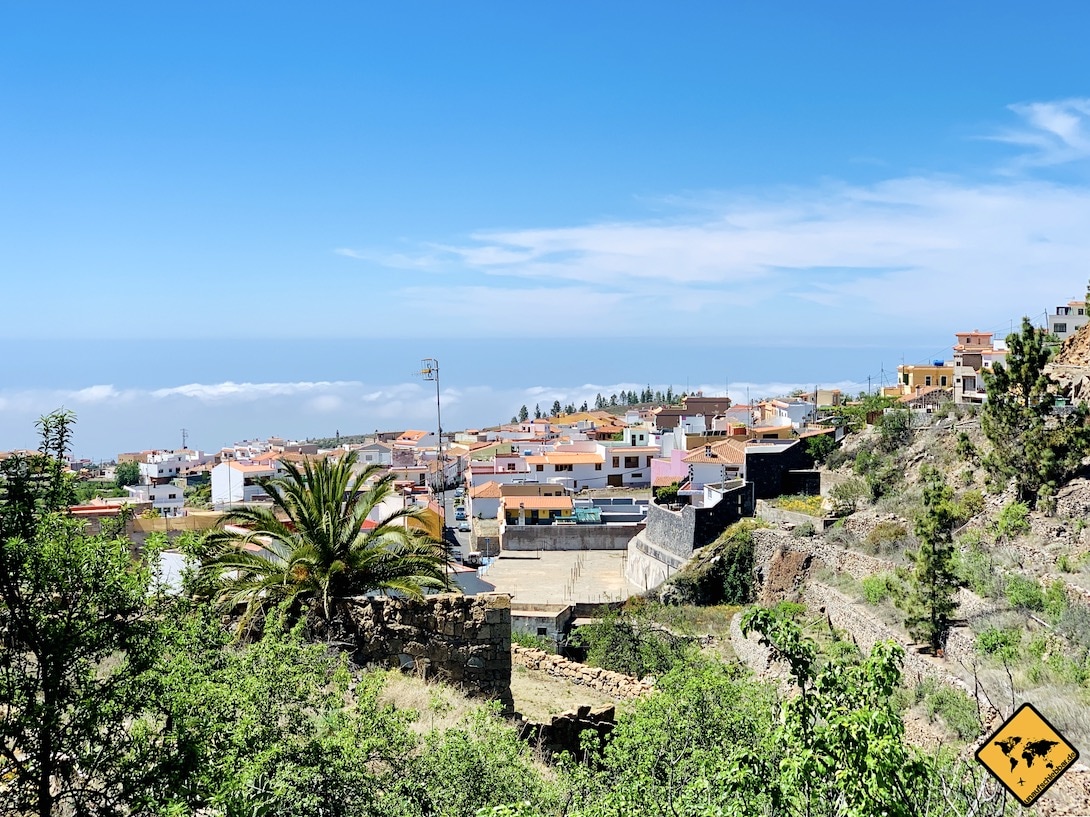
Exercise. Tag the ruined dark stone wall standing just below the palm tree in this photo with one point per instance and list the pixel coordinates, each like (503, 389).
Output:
(464, 641)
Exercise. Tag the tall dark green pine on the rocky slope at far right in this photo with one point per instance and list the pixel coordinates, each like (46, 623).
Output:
(1030, 445)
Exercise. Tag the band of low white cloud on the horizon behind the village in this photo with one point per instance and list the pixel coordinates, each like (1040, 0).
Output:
(112, 420)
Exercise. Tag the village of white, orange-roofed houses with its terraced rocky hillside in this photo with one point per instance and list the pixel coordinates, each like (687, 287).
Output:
(550, 521)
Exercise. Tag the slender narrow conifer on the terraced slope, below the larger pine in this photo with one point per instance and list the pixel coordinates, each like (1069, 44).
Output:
(932, 580)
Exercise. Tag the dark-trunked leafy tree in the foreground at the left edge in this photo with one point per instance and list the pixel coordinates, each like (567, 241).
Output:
(76, 633)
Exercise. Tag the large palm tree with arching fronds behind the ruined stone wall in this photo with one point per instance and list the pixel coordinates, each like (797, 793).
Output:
(312, 545)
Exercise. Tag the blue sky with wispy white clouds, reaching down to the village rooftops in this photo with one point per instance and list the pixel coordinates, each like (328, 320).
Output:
(181, 184)
